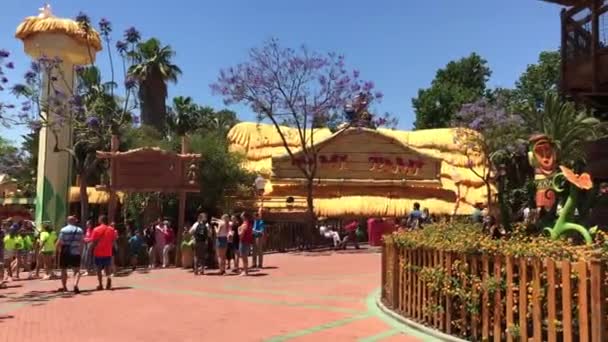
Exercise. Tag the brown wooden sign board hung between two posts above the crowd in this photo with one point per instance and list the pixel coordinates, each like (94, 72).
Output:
(151, 169)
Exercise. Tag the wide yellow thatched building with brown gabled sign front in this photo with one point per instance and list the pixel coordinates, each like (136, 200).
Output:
(363, 172)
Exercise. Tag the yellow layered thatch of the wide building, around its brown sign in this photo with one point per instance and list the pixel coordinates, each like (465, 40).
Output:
(260, 143)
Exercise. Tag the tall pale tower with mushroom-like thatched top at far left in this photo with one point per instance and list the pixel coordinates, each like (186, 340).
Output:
(60, 39)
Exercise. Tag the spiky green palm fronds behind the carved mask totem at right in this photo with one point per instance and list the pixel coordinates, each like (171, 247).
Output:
(568, 127)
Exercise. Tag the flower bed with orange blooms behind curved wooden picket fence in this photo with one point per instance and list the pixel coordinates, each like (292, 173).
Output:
(456, 279)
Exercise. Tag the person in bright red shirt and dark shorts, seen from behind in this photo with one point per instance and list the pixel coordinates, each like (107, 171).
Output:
(103, 241)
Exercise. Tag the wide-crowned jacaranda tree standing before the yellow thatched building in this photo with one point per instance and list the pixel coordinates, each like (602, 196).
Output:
(297, 88)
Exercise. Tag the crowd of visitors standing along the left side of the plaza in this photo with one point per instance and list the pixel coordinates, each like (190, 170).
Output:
(221, 242)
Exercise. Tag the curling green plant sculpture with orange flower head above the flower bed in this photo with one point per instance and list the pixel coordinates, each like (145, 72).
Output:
(577, 183)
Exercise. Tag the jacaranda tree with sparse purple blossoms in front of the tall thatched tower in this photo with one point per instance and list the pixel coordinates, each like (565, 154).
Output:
(91, 108)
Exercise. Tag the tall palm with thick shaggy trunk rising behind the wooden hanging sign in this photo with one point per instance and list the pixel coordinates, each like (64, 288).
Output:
(153, 68)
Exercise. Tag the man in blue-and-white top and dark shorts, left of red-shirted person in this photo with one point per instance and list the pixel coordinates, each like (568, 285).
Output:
(70, 245)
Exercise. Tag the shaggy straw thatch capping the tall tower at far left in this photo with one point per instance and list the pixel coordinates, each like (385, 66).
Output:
(41, 24)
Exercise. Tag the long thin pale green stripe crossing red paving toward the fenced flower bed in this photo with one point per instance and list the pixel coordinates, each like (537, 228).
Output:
(245, 299)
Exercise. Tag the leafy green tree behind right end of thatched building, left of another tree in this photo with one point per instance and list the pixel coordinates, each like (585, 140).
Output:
(459, 82)
